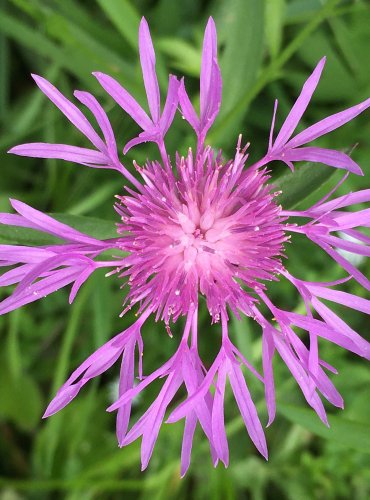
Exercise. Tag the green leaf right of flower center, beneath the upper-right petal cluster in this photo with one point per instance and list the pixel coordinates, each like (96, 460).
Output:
(298, 185)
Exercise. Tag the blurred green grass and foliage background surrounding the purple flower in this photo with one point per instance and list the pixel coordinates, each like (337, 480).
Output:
(267, 50)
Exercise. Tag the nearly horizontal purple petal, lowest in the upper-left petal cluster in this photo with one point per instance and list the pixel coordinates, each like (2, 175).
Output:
(60, 151)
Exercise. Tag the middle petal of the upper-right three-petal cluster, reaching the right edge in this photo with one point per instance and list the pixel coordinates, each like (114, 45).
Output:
(328, 124)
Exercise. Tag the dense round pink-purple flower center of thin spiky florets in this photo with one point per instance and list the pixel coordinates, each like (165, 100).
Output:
(214, 230)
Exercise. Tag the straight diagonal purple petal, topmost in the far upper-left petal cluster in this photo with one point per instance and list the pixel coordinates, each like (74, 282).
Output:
(69, 110)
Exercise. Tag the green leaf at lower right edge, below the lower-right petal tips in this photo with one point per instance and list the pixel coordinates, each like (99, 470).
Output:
(349, 433)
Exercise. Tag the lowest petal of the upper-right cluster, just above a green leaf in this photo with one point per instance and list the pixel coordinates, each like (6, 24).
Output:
(329, 157)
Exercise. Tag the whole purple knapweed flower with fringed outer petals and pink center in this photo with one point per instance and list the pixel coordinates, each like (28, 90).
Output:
(196, 226)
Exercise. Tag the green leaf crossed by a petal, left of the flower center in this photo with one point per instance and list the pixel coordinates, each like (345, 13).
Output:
(98, 228)
